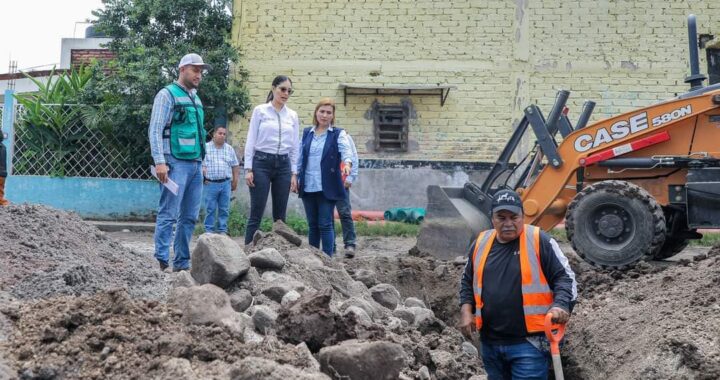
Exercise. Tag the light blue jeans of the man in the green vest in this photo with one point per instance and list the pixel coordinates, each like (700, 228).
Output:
(182, 209)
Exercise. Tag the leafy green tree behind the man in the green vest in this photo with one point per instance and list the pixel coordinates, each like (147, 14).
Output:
(149, 38)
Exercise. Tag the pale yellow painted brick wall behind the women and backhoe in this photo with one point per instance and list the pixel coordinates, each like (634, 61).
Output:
(501, 55)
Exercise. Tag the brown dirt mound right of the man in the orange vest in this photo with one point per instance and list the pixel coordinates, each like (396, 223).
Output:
(653, 322)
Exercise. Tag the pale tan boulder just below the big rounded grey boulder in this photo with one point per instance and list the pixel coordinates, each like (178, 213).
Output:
(207, 304)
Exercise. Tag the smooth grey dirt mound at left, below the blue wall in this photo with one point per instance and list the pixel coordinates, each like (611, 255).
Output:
(47, 252)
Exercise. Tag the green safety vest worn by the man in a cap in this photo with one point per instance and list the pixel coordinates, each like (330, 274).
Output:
(186, 131)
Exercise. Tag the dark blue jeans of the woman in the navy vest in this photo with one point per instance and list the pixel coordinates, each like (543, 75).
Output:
(319, 213)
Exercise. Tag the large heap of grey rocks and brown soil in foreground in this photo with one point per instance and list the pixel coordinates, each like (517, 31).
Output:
(277, 311)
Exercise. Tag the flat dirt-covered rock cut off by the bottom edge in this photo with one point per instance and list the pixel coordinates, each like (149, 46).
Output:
(253, 368)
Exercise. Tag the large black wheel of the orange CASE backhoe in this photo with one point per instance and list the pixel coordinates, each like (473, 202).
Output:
(614, 224)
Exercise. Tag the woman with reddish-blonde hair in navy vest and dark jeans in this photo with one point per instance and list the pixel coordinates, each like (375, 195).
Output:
(320, 184)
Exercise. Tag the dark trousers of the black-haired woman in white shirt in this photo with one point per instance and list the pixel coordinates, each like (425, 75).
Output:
(271, 173)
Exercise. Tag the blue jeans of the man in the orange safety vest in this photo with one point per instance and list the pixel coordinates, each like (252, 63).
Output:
(515, 361)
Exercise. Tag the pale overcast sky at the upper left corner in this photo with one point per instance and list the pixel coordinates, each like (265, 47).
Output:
(32, 30)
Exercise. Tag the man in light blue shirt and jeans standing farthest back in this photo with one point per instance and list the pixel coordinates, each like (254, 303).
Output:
(221, 171)
